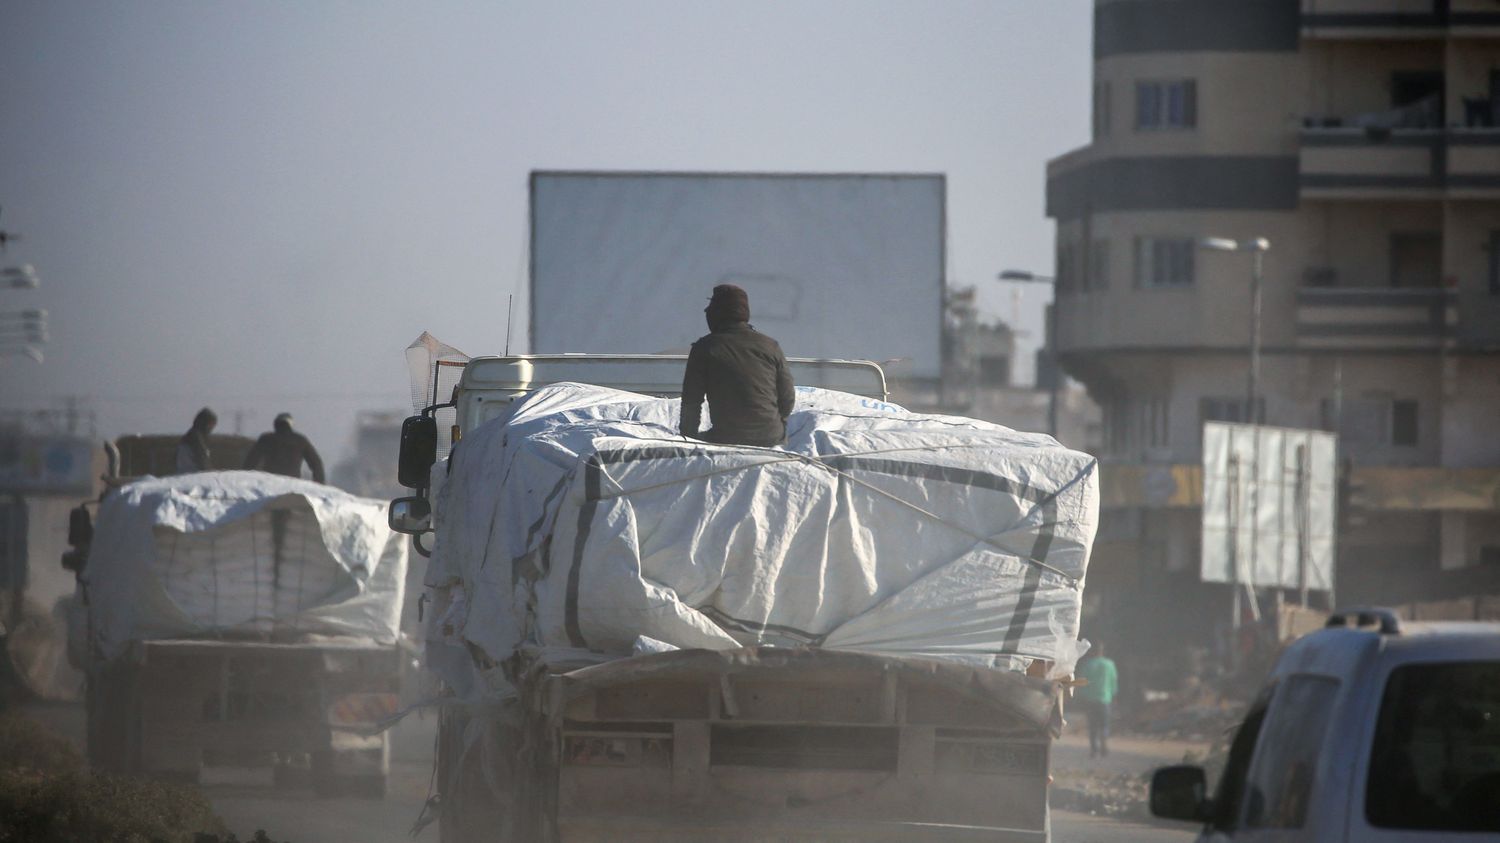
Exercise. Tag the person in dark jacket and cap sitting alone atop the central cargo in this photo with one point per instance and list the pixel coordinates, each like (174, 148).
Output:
(742, 373)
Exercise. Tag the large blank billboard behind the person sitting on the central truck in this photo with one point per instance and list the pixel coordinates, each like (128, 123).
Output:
(836, 266)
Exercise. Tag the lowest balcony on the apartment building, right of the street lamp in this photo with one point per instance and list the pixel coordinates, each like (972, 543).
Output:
(1381, 317)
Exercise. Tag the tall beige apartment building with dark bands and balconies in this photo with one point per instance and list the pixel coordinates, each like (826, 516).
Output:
(1363, 140)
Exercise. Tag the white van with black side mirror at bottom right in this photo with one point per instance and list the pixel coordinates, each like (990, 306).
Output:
(1372, 730)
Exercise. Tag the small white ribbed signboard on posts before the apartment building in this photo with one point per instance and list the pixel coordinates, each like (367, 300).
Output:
(1268, 506)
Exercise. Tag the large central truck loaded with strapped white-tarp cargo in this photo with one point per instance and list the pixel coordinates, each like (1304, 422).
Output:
(862, 635)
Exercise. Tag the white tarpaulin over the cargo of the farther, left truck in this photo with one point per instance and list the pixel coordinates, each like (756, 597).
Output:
(242, 553)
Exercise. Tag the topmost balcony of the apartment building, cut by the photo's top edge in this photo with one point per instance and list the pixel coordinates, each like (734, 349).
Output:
(1399, 19)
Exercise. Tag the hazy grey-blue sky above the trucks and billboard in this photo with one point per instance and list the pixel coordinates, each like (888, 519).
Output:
(257, 206)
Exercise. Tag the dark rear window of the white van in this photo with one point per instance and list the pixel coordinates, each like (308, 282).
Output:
(1436, 761)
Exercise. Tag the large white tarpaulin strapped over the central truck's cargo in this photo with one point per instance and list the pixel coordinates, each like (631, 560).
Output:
(586, 523)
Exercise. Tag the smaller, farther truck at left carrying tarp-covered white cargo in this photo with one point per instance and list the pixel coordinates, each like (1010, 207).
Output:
(236, 619)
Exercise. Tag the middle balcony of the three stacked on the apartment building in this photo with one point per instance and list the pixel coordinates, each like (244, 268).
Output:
(1339, 163)
